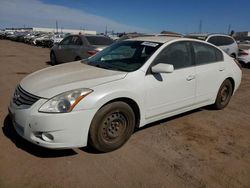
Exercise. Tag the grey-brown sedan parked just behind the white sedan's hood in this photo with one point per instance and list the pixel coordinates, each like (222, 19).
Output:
(76, 47)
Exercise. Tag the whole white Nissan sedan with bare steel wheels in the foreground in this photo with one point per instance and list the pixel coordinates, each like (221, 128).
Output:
(100, 100)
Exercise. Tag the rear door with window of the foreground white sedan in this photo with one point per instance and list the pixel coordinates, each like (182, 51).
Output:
(210, 69)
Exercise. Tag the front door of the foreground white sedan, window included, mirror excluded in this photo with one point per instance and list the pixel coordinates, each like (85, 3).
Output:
(167, 93)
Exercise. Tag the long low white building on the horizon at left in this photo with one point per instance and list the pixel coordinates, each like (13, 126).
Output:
(52, 30)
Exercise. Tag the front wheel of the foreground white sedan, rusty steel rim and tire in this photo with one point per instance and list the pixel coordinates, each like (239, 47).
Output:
(112, 126)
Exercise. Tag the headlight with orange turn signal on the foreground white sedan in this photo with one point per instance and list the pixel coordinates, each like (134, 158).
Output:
(64, 102)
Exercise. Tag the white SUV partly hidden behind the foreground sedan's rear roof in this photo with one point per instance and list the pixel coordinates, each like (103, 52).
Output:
(225, 42)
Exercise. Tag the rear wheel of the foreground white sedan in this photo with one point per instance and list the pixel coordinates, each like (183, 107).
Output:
(224, 95)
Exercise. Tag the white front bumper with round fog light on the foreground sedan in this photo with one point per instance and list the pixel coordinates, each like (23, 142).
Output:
(52, 130)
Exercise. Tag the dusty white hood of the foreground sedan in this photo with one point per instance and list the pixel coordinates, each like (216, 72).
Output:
(52, 81)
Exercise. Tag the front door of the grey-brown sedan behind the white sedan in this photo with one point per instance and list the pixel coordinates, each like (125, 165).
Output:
(63, 50)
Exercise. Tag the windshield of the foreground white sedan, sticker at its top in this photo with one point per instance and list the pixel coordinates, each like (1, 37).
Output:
(125, 56)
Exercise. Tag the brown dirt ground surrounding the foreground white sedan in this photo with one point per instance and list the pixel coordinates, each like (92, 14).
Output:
(203, 148)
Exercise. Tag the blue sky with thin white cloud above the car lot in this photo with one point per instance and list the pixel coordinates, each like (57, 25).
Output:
(181, 16)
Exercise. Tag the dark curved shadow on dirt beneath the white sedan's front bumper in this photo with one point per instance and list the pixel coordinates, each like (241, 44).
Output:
(9, 132)
